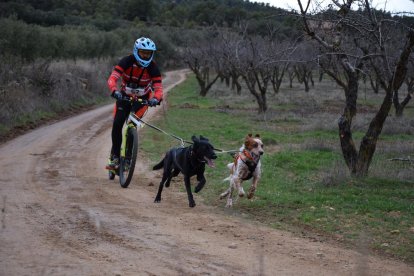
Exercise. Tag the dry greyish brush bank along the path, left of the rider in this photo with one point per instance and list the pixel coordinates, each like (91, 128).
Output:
(46, 88)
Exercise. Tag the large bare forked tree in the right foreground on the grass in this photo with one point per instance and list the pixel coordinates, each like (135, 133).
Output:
(351, 42)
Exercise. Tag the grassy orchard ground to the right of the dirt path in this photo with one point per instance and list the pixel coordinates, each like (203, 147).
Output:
(305, 185)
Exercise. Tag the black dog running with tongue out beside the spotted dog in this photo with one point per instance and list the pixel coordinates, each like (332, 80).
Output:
(189, 161)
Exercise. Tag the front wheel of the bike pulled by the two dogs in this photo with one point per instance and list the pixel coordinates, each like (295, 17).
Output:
(127, 162)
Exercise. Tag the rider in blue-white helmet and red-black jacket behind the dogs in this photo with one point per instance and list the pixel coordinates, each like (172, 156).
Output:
(141, 77)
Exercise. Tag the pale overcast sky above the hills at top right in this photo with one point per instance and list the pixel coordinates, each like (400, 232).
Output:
(389, 5)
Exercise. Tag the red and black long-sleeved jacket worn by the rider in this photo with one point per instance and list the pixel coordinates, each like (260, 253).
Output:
(130, 72)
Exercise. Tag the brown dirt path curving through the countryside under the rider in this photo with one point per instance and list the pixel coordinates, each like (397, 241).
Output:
(62, 216)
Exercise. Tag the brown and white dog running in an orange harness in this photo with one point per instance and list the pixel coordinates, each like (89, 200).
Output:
(246, 166)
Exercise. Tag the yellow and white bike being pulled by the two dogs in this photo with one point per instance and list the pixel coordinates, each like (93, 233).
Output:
(129, 146)
